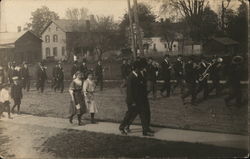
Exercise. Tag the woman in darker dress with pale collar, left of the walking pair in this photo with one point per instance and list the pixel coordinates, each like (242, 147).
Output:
(77, 104)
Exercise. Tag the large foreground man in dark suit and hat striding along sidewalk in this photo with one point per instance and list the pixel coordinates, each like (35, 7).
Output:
(137, 101)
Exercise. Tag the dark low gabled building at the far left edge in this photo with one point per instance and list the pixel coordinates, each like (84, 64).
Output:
(20, 46)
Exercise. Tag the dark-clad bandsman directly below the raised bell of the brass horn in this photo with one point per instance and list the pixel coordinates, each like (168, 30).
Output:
(215, 73)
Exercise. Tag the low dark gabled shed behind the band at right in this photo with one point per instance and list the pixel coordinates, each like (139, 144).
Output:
(220, 46)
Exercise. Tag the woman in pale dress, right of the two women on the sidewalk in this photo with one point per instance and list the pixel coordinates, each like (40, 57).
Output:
(88, 90)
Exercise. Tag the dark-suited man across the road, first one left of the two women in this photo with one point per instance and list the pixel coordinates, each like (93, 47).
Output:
(59, 77)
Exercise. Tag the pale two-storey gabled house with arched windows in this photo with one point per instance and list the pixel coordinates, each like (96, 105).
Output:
(62, 38)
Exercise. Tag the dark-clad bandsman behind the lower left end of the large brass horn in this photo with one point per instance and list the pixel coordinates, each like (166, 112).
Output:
(203, 85)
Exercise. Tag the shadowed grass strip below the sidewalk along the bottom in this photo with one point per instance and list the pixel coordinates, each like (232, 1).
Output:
(72, 143)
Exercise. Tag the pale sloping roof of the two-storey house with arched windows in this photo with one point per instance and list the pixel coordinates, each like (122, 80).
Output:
(65, 24)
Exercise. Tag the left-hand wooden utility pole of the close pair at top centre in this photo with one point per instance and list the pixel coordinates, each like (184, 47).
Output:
(131, 31)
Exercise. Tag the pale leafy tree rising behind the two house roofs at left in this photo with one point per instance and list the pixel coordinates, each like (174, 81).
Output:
(39, 18)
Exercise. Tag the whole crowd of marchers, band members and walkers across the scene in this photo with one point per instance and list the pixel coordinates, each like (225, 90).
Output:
(139, 78)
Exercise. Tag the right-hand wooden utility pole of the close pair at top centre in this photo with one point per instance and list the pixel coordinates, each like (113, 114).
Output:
(138, 31)
